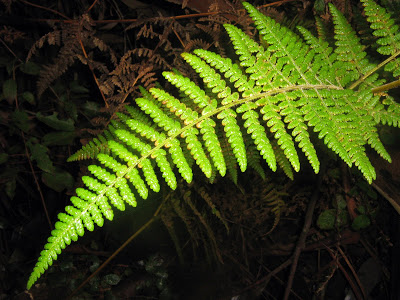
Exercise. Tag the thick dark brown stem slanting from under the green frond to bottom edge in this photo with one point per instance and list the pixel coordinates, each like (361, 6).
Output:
(302, 239)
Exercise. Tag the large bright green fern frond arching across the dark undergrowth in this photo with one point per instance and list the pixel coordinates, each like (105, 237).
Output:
(271, 100)
